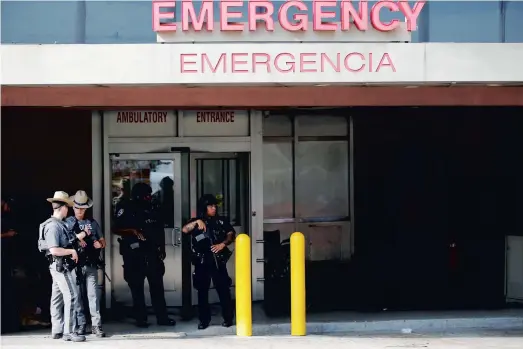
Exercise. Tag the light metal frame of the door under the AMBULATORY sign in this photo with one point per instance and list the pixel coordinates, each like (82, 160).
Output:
(176, 240)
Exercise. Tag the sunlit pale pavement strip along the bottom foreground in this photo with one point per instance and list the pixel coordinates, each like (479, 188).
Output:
(457, 340)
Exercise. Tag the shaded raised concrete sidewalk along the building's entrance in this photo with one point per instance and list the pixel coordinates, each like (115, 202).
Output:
(326, 323)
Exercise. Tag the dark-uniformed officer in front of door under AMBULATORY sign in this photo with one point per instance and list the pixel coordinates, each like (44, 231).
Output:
(142, 246)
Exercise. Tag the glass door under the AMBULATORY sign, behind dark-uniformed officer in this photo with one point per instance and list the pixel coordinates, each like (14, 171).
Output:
(163, 173)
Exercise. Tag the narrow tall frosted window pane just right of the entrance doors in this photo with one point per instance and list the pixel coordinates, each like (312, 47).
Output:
(277, 180)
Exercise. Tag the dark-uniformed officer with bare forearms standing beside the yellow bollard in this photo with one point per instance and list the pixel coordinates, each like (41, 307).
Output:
(211, 235)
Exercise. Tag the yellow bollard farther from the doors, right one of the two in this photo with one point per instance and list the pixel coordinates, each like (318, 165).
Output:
(298, 325)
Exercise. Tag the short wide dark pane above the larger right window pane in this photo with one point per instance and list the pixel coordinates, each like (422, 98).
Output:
(318, 125)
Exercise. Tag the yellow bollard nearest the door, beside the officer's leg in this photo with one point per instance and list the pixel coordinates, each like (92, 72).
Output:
(243, 286)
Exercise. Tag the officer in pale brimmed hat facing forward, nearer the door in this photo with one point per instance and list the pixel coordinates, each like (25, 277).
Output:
(91, 262)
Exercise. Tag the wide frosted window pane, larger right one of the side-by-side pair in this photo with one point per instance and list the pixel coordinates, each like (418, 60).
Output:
(322, 179)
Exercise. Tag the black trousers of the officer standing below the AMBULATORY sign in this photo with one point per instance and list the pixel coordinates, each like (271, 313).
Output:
(137, 267)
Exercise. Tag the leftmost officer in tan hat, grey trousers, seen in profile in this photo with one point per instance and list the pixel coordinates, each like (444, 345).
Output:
(55, 240)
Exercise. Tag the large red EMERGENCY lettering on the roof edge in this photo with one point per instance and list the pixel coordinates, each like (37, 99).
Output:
(262, 13)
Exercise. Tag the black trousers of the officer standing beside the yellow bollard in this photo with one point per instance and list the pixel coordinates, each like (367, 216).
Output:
(203, 273)
